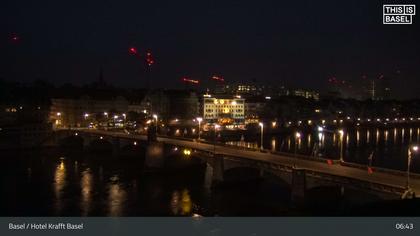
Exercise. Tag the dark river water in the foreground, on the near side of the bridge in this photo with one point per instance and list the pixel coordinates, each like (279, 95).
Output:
(50, 183)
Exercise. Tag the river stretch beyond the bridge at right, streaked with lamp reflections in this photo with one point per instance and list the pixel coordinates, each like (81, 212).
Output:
(388, 145)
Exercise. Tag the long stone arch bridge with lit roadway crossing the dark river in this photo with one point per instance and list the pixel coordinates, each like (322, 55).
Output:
(299, 173)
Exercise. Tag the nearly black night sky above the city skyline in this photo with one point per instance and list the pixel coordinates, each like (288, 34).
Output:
(296, 43)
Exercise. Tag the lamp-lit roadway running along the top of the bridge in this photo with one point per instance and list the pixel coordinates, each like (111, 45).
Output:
(384, 178)
